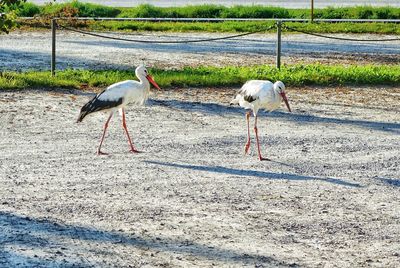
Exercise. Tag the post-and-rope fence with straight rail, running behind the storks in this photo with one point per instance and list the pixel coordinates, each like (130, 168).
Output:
(278, 23)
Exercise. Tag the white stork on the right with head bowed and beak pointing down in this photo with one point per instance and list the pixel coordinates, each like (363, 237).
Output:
(260, 94)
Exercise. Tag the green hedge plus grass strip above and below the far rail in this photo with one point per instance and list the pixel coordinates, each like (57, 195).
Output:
(78, 9)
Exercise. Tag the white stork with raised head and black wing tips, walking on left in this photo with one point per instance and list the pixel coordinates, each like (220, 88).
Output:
(116, 97)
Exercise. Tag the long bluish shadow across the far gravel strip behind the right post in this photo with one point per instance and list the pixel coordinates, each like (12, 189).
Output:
(249, 45)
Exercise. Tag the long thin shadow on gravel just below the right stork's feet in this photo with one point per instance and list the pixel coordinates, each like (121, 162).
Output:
(254, 173)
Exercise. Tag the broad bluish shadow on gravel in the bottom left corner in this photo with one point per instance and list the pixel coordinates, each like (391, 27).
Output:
(26, 232)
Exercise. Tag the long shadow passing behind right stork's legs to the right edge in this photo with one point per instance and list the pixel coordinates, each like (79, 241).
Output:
(222, 110)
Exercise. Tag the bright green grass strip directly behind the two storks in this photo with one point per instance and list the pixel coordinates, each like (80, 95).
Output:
(292, 75)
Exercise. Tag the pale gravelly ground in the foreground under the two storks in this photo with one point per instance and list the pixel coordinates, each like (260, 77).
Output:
(330, 197)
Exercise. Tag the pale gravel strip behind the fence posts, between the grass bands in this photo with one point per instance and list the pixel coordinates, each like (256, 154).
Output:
(32, 50)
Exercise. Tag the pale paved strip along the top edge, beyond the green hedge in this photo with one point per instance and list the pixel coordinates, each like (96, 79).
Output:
(282, 3)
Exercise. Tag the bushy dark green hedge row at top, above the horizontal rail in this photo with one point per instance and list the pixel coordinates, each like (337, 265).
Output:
(208, 11)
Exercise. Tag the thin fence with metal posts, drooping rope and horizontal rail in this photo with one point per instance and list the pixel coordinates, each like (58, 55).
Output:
(279, 25)
